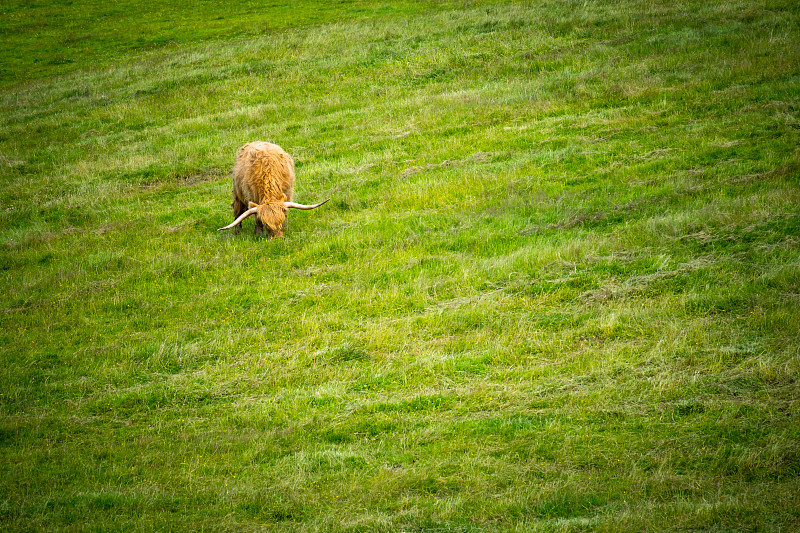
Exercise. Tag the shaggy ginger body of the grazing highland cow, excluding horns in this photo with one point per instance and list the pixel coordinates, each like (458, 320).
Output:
(263, 175)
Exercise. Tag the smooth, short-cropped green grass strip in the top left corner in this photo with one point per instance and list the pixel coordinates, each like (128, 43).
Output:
(55, 38)
